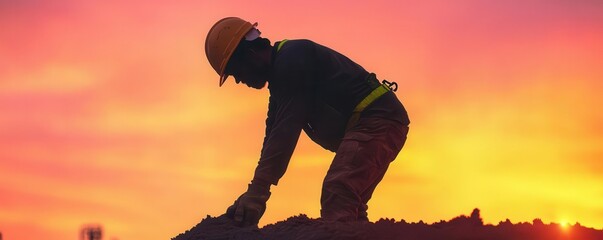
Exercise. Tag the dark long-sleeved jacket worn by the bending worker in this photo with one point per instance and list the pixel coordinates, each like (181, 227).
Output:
(314, 88)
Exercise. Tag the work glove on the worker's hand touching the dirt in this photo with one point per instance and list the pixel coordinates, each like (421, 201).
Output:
(250, 206)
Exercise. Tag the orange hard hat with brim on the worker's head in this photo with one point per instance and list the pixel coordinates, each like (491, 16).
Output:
(222, 40)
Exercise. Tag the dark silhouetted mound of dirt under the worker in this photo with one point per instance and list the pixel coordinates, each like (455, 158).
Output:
(463, 227)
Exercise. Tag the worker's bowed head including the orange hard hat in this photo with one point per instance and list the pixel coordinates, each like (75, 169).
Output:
(234, 48)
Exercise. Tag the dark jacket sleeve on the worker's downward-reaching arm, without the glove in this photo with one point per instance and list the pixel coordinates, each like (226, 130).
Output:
(288, 110)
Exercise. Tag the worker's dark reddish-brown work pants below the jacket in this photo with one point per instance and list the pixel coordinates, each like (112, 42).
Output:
(359, 165)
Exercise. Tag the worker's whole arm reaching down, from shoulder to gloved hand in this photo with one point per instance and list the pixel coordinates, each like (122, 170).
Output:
(291, 98)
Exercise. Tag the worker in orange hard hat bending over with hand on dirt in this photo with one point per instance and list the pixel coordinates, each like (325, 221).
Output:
(335, 101)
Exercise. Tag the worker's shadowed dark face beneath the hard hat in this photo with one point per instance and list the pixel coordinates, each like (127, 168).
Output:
(249, 69)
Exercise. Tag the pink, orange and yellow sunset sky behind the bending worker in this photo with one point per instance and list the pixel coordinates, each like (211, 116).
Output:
(110, 113)
